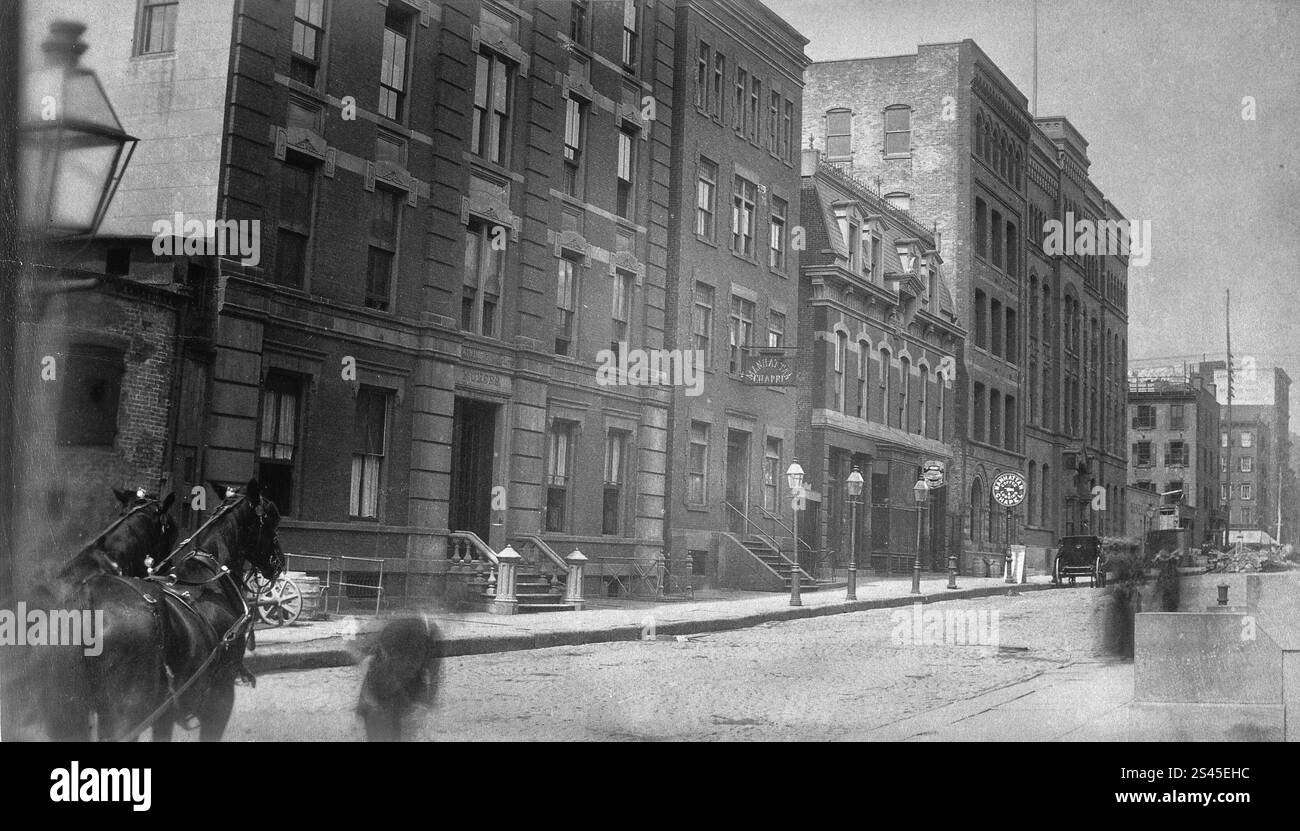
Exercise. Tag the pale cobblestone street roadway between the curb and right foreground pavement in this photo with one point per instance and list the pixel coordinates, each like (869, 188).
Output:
(840, 677)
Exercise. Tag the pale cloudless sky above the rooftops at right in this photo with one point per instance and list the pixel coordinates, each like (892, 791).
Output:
(1158, 89)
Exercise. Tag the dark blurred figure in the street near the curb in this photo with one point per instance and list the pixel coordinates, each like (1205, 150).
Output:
(402, 677)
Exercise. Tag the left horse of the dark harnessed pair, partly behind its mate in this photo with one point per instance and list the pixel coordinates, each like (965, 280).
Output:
(123, 682)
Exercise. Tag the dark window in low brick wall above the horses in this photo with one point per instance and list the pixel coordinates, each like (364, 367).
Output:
(92, 387)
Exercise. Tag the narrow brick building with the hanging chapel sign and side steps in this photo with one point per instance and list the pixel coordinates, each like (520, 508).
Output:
(734, 288)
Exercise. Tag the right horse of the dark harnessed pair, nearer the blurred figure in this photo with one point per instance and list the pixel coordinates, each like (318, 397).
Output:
(207, 617)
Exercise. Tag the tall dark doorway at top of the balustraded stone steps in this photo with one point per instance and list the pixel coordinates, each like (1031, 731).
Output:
(474, 442)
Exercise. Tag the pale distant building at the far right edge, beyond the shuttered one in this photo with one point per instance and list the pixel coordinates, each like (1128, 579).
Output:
(1256, 447)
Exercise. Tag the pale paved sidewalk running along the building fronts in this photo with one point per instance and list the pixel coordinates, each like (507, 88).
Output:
(344, 640)
